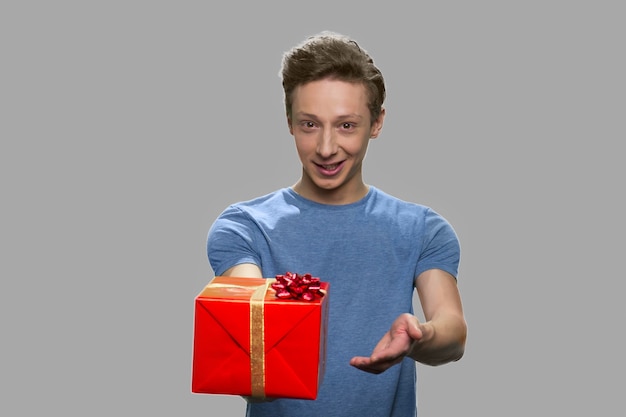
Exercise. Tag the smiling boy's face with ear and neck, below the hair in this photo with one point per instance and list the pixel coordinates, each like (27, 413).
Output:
(331, 126)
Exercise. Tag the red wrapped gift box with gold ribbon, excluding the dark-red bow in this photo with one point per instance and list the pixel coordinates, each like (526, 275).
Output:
(249, 342)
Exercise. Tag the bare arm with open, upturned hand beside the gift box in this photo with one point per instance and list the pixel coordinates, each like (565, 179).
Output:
(439, 340)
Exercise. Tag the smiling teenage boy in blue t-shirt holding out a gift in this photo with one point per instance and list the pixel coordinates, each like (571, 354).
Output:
(373, 249)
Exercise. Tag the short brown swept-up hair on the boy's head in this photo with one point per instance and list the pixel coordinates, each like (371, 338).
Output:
(332, 55)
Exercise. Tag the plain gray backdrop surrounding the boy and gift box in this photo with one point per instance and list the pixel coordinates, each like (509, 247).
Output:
(127, 126)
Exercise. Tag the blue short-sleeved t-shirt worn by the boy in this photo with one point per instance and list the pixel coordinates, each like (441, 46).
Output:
(370, 252)
